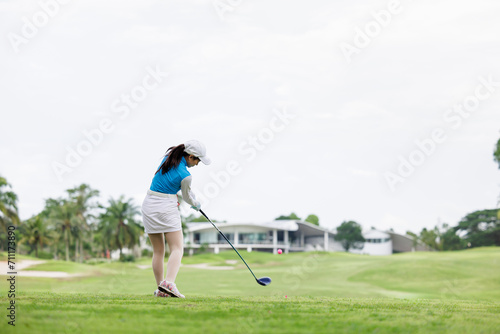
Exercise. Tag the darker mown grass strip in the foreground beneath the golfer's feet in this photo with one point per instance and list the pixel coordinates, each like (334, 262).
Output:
(84, 313)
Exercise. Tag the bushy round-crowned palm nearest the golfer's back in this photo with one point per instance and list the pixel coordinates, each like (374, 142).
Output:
(118, 224)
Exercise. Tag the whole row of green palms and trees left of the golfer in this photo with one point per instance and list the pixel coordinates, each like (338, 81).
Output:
(73, 227)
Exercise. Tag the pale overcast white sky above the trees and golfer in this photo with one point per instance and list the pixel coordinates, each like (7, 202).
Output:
(229, 76)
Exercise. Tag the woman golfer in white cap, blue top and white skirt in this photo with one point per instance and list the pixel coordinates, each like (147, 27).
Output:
(160, 214)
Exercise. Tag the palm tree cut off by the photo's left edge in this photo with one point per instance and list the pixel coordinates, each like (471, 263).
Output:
(8, 210)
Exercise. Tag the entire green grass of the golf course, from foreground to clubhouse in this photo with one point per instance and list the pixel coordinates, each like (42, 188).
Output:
(454, 292)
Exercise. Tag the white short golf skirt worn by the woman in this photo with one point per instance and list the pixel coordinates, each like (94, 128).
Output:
(160, 213)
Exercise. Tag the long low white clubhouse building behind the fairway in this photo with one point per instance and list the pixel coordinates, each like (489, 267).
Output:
(289, 236)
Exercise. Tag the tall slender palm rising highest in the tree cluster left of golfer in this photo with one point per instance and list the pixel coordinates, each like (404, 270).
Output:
(81, 197)
